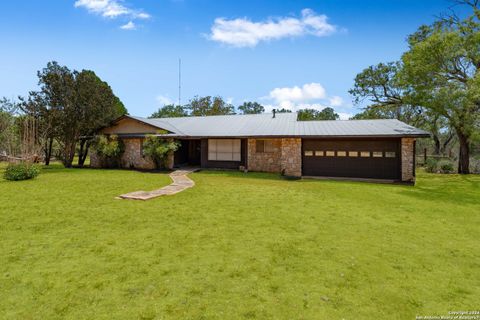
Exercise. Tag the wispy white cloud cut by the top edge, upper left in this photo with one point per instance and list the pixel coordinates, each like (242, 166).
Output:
(112, 9)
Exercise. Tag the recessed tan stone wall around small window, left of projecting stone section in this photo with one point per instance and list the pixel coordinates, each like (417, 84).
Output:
(265, 161)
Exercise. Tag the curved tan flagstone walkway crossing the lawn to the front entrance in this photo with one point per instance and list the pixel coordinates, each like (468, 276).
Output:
(180, 183)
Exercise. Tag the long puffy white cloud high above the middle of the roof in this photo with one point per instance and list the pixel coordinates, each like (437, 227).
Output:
(243, 32)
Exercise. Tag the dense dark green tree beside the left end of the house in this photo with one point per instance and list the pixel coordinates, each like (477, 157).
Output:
(75, 105)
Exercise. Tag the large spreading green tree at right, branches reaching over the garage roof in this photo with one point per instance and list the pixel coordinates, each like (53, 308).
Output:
(435, 85)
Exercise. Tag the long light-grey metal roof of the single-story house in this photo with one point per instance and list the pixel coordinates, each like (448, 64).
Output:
(284, 124)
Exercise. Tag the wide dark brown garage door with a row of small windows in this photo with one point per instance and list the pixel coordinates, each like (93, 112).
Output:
(375, 159)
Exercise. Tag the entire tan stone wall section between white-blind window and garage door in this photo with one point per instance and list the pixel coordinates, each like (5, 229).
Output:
(286, 157)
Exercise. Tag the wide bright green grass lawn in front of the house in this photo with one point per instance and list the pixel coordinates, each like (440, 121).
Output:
(237, 246)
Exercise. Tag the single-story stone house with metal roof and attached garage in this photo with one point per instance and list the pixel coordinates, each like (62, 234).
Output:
(372, 149)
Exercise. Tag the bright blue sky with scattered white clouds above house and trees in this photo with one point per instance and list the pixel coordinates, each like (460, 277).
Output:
(280, 53)
